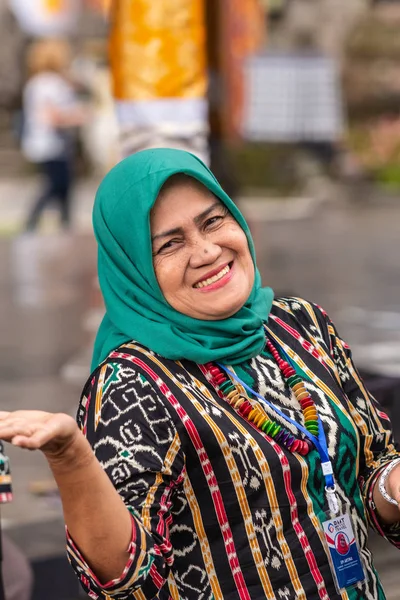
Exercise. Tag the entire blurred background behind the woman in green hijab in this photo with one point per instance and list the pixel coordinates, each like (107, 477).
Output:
(295, 104)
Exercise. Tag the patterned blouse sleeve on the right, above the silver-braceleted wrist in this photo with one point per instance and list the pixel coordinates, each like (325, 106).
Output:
(377, 447)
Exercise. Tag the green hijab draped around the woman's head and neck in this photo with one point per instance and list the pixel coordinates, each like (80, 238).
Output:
(135, 306)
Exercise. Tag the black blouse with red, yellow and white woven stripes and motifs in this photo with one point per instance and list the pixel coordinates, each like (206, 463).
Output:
(219, 509)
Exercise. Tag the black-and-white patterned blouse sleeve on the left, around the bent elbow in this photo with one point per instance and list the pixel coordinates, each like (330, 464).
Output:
(135, 440)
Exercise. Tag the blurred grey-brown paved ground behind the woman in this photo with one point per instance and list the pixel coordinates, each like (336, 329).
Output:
(344, 256)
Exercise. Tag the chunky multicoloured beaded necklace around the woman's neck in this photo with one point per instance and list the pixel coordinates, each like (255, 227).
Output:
(228, 391)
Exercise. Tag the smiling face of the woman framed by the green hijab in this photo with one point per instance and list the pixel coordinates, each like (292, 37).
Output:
(200, 253)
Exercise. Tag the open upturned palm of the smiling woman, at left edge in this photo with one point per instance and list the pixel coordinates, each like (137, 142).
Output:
(52, 433)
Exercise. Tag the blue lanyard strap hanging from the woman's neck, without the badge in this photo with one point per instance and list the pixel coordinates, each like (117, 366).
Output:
(319, 442)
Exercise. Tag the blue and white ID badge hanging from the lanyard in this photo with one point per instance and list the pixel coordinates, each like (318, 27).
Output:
(343, 550)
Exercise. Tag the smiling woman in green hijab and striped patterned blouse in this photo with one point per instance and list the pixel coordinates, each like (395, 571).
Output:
(227, 447)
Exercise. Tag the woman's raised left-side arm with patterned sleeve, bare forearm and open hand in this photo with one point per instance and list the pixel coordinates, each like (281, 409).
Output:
(118, 473)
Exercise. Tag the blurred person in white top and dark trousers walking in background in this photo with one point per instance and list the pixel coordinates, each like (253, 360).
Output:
(51, 112)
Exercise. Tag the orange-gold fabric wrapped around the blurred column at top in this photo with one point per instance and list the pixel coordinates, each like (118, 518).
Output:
(157, 49)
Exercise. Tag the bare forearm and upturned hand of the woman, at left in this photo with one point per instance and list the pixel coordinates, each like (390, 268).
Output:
(95, 515)
